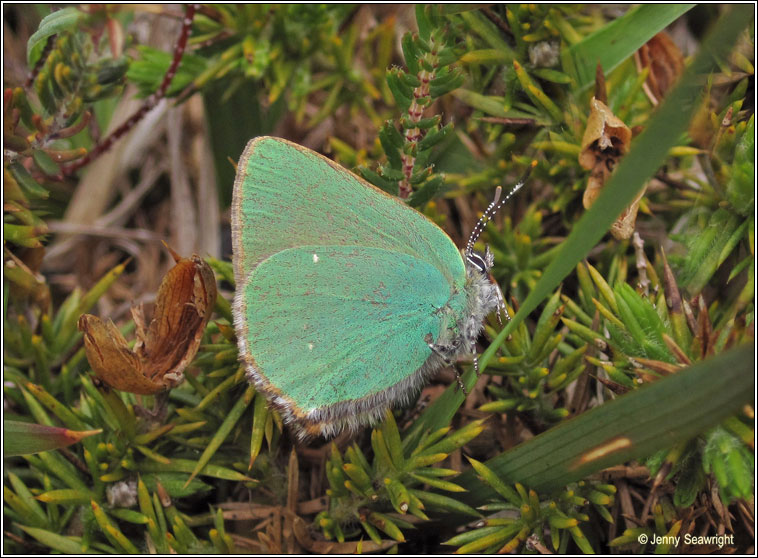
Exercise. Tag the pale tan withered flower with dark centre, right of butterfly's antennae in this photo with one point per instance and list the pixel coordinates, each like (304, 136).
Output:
(606, 140)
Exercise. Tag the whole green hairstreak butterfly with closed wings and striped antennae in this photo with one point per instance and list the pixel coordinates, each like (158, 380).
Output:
(347, 300)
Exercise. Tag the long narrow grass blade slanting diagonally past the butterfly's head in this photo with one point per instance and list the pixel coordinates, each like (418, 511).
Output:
(648, 152)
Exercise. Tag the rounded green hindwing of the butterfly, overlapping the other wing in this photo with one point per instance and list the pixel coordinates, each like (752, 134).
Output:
(329, 324)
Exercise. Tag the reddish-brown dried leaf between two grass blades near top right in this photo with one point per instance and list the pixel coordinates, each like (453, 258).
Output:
(666, 64)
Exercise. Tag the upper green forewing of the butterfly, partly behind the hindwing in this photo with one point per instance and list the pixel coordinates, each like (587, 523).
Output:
(287, 196)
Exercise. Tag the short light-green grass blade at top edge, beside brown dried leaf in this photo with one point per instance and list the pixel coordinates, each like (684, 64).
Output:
(618, 40)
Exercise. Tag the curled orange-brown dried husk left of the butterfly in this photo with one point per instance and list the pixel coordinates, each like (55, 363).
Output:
(166, 346)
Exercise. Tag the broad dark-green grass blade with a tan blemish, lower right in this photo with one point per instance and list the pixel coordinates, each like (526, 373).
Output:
(655, 417)
